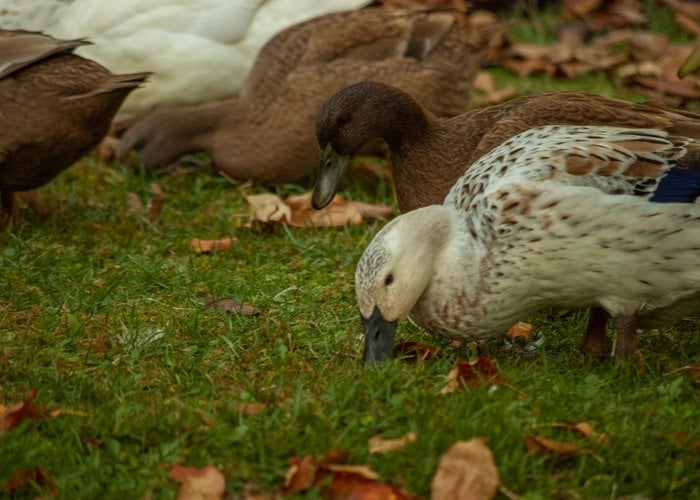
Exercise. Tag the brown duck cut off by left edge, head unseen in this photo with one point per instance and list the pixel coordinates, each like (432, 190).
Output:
(56, 106)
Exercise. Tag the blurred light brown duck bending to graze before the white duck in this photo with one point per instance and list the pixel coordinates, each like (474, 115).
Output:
(266, 135)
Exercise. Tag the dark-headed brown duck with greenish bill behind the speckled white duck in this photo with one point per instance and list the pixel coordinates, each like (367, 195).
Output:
(428, 154)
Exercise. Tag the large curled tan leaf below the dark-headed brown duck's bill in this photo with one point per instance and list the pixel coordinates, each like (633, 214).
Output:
(297, 211)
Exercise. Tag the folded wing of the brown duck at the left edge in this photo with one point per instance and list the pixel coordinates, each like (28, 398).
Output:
(19, 49)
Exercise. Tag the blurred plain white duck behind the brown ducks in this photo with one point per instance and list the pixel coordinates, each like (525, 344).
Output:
(198, 50)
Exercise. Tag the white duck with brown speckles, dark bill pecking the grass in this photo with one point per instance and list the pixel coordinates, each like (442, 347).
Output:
(556, 216)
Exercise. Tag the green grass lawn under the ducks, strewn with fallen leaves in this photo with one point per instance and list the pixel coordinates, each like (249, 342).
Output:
(102, 311)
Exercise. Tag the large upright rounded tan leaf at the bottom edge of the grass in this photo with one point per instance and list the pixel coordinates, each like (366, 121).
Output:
(466, 470)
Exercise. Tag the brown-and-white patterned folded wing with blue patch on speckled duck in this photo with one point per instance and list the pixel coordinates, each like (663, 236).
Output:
(615, 160)
